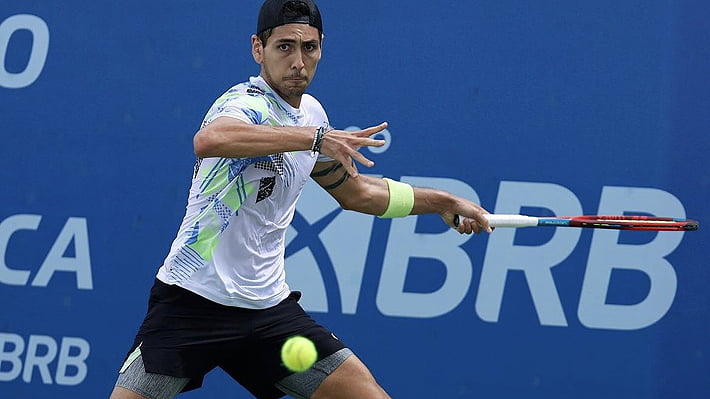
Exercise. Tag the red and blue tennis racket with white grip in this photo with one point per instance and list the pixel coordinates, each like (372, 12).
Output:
(616, 222)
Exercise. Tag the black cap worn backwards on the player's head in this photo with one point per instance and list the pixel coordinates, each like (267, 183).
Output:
(275, 13)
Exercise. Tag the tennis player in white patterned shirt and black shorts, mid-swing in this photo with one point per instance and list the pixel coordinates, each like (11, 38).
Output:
(220, 298)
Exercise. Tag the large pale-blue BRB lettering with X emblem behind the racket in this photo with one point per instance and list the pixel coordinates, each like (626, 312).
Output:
(338, 258)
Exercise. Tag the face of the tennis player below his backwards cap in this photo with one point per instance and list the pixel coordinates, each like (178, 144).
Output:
(289, 59)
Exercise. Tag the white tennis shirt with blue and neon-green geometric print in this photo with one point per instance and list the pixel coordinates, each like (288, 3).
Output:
(230, 246)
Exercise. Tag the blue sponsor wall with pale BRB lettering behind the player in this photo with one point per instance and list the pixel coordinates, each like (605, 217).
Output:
(536, 107)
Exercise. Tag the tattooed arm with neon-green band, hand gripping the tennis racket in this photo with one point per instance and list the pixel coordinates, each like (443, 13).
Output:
(389, 198)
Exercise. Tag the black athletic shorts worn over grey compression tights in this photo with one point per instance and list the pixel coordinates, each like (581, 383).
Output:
(187, 335)
